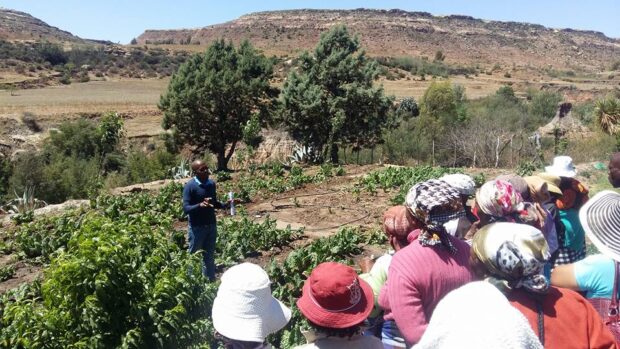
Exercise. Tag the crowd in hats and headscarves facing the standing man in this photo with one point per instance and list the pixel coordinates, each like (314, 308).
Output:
(501, 266)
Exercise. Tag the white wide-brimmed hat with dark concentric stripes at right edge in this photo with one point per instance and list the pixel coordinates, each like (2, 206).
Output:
(600, 219)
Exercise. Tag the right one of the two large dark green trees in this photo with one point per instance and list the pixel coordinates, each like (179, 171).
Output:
(330, 101)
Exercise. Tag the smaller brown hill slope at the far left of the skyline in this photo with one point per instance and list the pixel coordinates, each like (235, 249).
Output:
(16, 25)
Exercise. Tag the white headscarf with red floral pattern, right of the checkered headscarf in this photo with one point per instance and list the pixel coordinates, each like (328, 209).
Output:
(499, 199)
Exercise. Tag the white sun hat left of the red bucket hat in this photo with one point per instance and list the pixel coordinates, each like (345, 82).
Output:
(244, 308)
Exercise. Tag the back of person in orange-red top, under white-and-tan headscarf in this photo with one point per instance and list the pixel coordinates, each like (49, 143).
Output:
(570, 321)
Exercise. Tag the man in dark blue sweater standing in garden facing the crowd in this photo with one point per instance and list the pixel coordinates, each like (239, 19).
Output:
(199, 203)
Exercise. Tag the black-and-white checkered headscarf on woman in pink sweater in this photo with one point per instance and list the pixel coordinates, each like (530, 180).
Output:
(433, 203)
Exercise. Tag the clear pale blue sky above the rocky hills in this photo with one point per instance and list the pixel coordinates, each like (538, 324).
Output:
(120, 21)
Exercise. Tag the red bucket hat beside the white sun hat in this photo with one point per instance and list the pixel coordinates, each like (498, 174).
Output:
(335, 297)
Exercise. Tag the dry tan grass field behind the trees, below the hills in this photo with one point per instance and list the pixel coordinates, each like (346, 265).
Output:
(137, 99)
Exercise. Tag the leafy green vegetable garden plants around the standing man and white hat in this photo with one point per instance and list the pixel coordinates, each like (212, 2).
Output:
(119, 275)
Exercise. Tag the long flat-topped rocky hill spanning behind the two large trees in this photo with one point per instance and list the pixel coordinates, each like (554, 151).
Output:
(462, 39)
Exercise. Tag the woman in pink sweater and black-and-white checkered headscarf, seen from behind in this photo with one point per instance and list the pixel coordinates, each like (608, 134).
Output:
(429, 267)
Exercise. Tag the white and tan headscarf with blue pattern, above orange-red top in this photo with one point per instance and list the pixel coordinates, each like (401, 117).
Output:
(514, 254)
